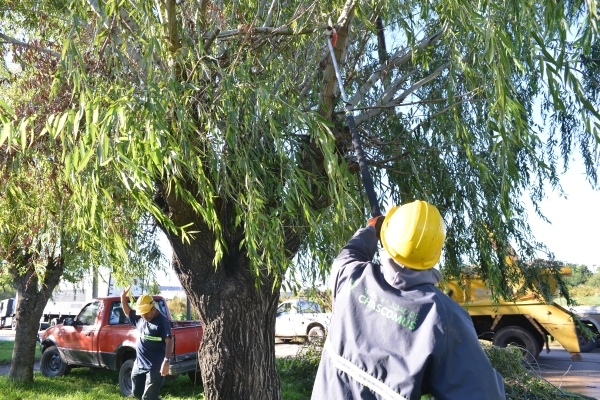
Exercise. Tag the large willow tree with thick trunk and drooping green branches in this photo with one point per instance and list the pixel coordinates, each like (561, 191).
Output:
(223, 120)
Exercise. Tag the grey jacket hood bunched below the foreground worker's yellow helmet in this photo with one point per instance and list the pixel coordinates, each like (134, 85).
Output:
(404, 278)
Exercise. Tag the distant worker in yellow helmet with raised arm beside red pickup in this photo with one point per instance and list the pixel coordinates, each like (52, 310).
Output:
(153, 349)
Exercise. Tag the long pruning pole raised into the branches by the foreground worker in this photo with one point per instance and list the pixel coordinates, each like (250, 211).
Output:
(360, 154)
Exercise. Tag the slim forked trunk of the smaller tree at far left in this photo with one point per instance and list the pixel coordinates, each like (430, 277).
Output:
(30, 306)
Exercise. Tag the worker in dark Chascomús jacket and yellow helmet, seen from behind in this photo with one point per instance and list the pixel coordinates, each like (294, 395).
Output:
(393, 334)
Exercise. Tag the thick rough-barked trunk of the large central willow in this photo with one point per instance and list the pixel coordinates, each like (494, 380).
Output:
(237, 355)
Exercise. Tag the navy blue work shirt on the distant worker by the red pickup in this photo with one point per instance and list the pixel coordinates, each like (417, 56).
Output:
(151, 346)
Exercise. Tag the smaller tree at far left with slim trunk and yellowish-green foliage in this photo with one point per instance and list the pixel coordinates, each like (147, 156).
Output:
(41, 244)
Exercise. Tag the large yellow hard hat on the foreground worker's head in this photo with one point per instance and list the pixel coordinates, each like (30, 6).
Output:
(413, 234)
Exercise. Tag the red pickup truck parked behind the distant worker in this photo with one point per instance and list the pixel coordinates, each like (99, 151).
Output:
(101, 336)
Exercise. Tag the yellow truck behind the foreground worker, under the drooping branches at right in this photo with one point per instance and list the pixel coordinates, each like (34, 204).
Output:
(527, 322)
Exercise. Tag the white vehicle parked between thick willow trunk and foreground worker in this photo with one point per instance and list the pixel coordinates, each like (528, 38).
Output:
(301, 318)
